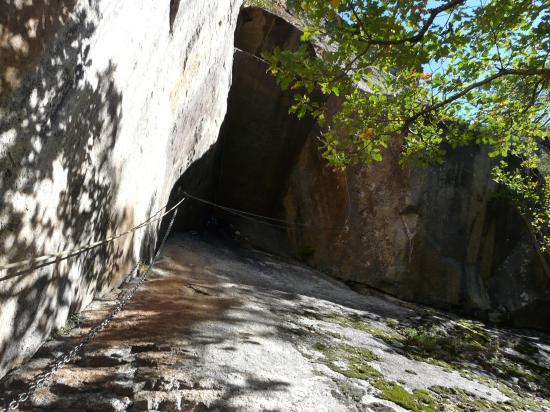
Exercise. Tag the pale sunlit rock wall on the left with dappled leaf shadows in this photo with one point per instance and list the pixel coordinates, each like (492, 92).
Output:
(103, 105)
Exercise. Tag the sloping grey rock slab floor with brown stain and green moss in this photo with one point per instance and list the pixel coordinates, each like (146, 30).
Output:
(214, 328)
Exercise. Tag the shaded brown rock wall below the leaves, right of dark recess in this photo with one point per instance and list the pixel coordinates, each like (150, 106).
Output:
(439, 236)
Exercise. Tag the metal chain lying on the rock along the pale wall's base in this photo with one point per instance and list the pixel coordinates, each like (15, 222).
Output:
(41, 380)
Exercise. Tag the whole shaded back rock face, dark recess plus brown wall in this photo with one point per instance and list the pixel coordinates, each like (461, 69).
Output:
(440, 236)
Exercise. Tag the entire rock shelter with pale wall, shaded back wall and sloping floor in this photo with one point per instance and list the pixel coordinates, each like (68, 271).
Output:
(171, 237)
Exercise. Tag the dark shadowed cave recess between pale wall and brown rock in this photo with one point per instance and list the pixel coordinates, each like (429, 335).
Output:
(258, 147)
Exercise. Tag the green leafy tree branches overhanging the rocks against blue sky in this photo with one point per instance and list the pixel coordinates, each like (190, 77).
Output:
(430, 75)
